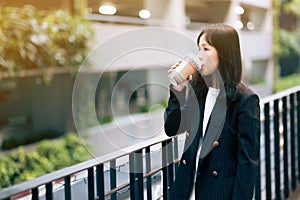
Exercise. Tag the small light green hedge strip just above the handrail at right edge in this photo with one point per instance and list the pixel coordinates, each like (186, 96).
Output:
(286, 82)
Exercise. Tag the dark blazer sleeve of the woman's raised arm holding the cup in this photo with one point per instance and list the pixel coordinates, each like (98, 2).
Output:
(173, 123)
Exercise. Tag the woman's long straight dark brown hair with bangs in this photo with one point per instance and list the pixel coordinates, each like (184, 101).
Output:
(226, 41)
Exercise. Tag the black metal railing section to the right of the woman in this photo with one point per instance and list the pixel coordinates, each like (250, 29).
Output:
(280, 145)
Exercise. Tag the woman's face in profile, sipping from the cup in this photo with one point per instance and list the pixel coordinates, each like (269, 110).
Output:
(208, 56)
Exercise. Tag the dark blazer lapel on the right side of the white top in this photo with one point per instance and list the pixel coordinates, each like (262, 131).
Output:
(215, 126)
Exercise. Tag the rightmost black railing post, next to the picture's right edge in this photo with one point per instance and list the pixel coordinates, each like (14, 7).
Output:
(293, 156)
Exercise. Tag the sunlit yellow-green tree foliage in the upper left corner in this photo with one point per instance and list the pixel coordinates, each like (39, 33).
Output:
(31, 38)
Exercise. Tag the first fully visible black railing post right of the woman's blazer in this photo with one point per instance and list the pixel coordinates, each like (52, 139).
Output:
(267, 151)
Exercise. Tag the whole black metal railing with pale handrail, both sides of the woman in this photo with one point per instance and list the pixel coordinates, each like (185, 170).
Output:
(154, 163)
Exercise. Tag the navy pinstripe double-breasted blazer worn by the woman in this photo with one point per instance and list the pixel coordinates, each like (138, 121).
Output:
(228, 164)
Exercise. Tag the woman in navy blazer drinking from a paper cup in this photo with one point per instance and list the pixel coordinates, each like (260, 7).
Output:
(221, 119)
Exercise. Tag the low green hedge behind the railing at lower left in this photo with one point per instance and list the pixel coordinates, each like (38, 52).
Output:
(49, 155)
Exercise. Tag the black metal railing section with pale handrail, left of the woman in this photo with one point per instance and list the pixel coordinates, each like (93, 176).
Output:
(140, 172)
